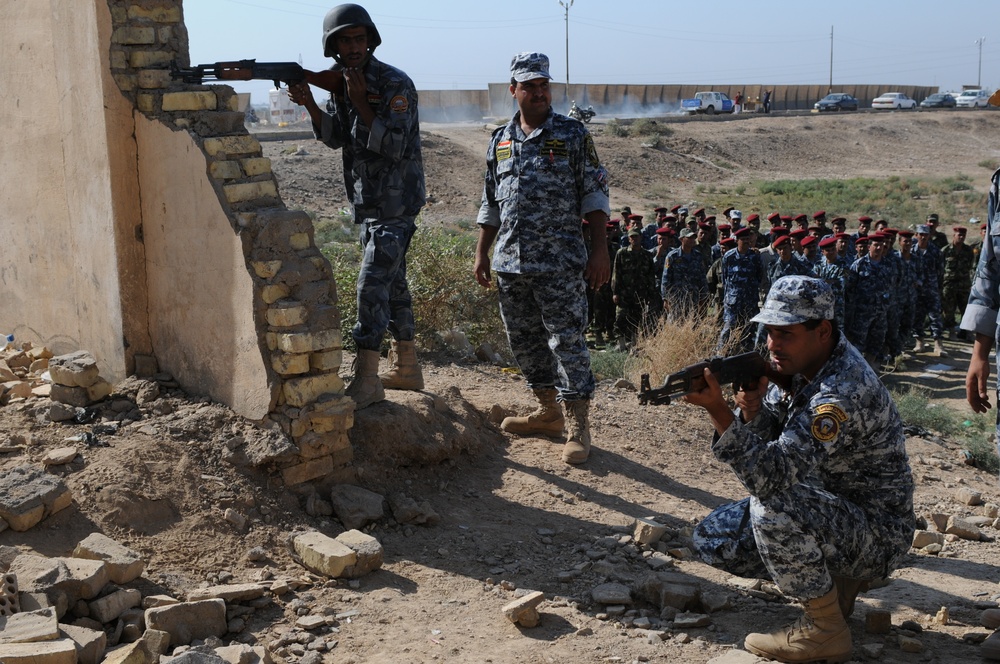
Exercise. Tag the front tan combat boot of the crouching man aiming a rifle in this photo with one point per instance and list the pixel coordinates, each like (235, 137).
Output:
(820, 635)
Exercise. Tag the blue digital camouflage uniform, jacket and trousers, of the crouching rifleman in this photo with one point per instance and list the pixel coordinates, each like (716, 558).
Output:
(830, 486)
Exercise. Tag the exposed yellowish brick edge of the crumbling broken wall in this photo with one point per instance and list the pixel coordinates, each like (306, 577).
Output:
(294, 293)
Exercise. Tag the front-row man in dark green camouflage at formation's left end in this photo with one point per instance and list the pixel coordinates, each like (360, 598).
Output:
(632, 284)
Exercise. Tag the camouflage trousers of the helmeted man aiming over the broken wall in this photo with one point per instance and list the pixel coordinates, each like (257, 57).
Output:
(383, 294)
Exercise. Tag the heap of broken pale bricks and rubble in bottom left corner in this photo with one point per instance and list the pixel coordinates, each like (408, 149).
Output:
(89, 607)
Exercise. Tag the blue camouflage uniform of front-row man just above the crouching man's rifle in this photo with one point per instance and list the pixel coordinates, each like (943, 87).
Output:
(741, 277)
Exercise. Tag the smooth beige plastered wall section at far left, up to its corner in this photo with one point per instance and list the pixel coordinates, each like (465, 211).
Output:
(69, 258)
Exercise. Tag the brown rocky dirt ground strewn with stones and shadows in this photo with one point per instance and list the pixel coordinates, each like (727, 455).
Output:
(508, 515)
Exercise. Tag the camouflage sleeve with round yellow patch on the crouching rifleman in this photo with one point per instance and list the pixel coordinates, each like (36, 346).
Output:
(768, 466)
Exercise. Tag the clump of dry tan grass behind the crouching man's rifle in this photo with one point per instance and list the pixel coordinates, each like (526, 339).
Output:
(677, 343)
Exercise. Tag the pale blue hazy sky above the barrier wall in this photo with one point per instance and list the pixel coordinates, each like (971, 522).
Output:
(453, 44)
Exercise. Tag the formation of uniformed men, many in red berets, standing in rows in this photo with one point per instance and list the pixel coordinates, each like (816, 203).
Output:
(894, 287)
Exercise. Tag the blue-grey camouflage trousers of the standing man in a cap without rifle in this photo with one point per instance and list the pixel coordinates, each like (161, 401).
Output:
(545, 315)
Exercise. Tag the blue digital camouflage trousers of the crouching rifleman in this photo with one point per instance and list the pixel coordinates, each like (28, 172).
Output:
(798, 539)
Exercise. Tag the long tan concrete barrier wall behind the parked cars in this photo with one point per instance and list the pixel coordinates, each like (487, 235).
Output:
(608, 98)
